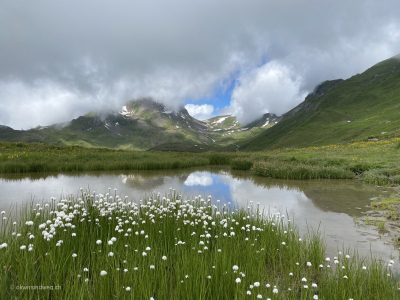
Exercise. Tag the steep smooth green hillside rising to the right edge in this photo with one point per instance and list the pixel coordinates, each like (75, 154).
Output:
(365, 106)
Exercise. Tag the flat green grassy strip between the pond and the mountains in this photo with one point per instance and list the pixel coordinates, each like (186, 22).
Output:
(374, 162)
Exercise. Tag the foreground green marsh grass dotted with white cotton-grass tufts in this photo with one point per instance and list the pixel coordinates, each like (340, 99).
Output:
(198, 250)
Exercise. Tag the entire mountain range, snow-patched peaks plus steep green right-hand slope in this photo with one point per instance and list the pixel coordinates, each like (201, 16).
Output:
(363, 107)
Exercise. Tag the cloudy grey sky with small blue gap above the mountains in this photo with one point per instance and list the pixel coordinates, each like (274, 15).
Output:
(62, 59)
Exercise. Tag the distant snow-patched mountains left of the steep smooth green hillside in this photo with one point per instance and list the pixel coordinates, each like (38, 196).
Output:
(142, 125)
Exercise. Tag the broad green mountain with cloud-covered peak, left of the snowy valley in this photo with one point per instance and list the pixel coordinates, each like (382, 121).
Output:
(139, 125)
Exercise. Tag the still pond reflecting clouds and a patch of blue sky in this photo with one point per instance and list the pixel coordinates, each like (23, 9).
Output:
(327, 205)
